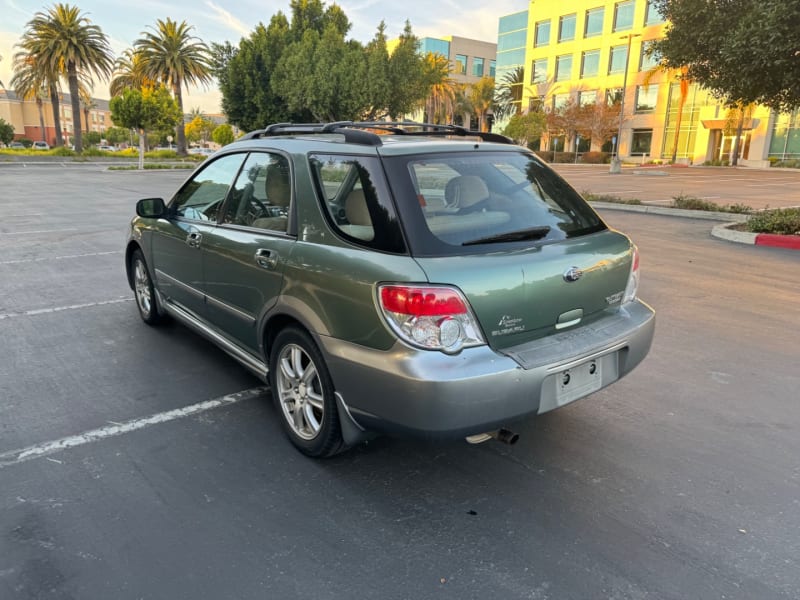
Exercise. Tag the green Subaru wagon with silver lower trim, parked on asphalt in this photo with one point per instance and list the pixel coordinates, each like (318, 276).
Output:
(394, 278)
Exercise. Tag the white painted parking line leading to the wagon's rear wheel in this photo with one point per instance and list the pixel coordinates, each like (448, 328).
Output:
(15, 457)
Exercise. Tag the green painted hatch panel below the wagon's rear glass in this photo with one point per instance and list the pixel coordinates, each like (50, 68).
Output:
(519, 296)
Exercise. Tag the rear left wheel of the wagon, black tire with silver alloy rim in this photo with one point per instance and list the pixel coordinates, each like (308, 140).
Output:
(303, 393)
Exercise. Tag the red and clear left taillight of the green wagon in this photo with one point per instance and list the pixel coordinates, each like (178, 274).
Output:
(430, 317)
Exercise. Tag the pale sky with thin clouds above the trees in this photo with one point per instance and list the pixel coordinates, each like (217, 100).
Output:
(221, 20)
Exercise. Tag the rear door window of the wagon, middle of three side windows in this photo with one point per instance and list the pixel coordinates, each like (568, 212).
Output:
(262, 194)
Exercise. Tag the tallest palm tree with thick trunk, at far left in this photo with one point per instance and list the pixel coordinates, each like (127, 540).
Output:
(64, 41)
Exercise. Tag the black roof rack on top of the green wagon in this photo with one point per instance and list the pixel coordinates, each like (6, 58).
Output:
(357, 131)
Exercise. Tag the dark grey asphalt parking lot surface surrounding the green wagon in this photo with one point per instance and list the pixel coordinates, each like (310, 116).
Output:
(144, 463)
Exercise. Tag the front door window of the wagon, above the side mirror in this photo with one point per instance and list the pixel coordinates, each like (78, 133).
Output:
(201, 198)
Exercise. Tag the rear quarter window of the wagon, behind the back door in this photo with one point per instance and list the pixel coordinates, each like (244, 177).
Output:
(357, 202)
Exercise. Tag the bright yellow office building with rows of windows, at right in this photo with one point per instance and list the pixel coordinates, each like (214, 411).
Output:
(590, 50)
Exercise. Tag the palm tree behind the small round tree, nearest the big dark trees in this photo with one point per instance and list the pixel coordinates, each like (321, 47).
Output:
(171, 55)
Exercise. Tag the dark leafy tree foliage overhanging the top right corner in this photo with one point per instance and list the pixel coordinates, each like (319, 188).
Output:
(744, 51)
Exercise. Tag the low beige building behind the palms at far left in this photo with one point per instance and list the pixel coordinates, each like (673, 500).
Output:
(26, 118)
